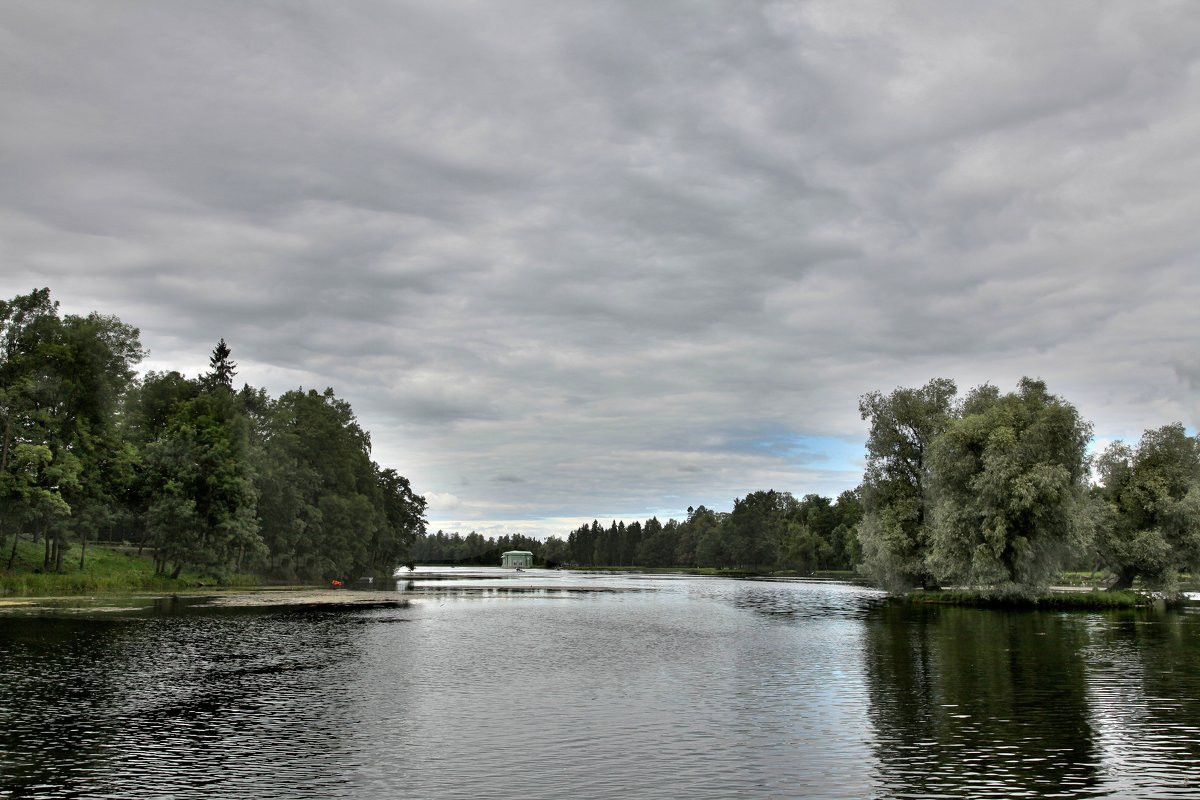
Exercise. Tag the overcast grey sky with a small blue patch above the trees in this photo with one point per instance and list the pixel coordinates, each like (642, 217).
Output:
(575, 261)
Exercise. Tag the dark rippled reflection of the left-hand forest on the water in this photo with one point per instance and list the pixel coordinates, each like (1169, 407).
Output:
(170, 706)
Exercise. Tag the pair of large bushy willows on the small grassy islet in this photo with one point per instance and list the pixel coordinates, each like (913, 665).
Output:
(987, 492)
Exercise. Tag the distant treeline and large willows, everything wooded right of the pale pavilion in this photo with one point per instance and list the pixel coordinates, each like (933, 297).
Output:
(994, 495)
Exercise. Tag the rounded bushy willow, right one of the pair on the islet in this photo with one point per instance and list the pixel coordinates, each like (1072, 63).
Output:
(1010, 485)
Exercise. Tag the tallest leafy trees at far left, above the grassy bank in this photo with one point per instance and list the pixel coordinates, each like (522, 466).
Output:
(62, 381)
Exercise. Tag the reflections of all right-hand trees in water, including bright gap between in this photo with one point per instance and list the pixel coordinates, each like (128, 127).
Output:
(973, 703)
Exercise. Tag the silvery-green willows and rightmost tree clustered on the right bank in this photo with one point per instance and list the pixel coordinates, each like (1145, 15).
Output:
(997, 494)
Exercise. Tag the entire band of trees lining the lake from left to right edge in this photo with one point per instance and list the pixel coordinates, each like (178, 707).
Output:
(994, 492)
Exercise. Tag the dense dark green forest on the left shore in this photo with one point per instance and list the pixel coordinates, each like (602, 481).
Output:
(190, 470)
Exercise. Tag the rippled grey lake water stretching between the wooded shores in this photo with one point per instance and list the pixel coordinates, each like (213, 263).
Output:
(565, 685)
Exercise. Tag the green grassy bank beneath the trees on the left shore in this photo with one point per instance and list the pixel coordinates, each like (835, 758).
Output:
(107, 569)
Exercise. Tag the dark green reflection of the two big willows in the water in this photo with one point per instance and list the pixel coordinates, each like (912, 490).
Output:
(980, 703)
